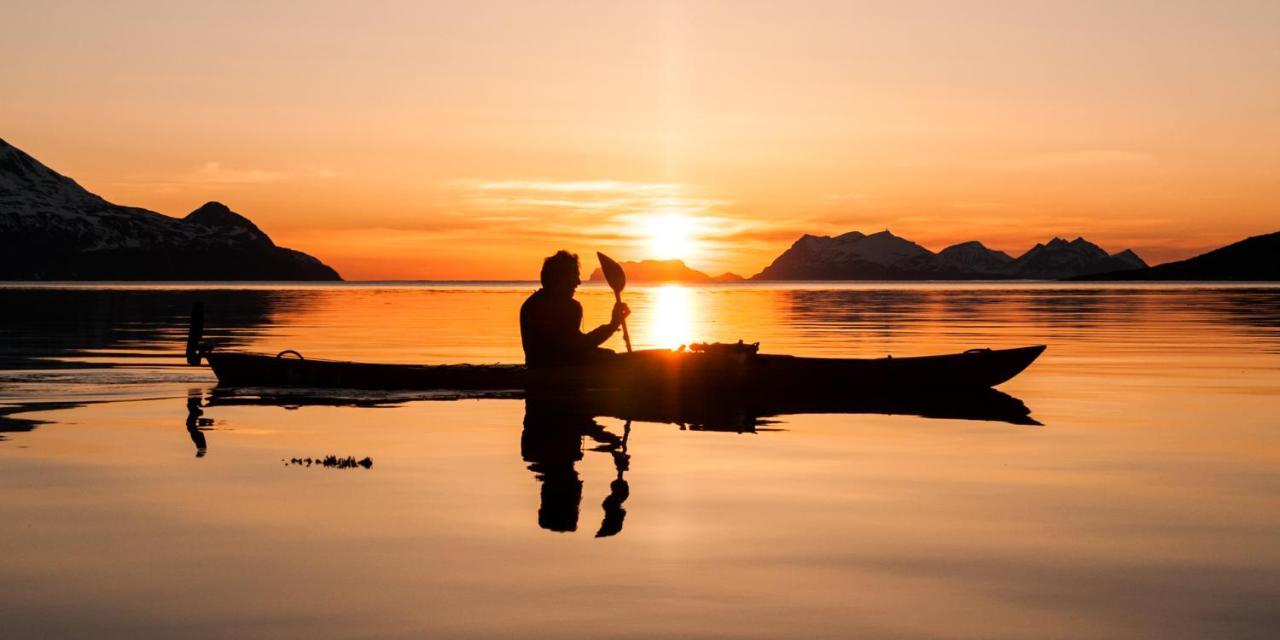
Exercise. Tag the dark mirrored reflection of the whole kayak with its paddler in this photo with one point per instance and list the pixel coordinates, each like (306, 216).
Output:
(559, 429)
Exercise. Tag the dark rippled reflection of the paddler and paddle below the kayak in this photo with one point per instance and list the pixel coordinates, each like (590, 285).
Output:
(552, 445)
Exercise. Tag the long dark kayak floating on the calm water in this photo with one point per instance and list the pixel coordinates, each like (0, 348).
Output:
(715, 368)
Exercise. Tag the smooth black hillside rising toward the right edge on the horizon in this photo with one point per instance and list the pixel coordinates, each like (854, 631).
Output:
(1251, 259)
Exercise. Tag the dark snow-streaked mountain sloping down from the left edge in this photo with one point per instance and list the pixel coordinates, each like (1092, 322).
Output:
(54, 230)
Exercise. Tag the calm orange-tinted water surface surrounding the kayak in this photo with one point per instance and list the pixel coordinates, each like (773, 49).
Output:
(138, 504)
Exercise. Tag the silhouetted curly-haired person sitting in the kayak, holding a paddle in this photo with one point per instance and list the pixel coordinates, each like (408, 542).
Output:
(551, 321)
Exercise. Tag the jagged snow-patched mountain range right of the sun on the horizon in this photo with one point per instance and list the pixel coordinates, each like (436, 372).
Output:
(884, 257)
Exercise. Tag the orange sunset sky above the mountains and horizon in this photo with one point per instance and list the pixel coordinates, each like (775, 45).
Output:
(469, 140)
